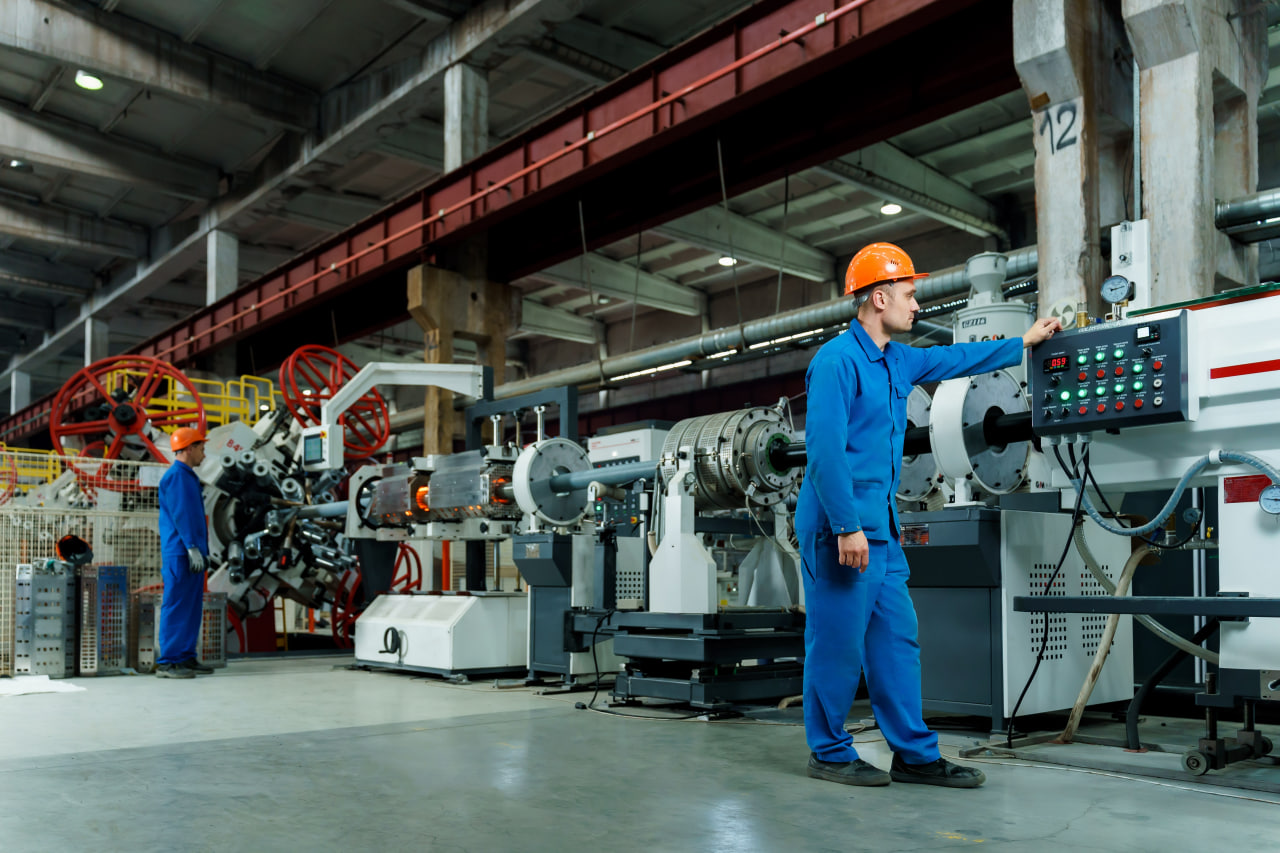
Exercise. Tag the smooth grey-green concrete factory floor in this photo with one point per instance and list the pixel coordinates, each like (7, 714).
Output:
(296, 755)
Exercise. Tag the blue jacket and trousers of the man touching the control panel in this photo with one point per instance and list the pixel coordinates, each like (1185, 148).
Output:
(854, 431)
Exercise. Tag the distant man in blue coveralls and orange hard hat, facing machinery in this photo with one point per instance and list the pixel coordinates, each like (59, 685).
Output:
(184, 553)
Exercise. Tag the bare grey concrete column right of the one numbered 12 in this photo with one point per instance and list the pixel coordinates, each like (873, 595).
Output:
(1203, 67)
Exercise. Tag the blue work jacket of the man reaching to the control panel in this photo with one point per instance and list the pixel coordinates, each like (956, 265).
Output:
(857, 422)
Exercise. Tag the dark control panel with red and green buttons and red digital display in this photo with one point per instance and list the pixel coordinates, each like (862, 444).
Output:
(1110, 377)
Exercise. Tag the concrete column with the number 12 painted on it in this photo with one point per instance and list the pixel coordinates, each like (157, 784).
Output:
(1082, 108)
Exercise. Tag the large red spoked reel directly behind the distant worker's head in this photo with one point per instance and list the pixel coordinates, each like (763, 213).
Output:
(118, 421)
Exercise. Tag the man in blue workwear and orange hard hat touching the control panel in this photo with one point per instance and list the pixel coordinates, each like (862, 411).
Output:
(860, 615)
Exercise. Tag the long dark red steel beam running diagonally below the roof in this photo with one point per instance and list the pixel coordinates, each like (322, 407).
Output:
(765, 51)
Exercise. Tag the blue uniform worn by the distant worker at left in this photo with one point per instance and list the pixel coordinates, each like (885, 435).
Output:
(182, 526)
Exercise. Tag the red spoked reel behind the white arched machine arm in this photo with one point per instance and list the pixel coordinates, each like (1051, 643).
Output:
(313, 376)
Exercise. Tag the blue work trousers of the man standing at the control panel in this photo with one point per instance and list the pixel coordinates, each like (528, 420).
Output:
(861, 622)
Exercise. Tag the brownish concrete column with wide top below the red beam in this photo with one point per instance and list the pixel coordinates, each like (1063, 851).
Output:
(451, 305)
